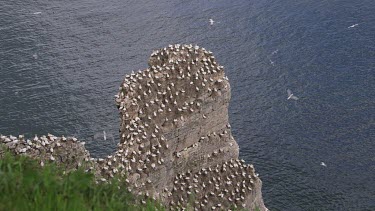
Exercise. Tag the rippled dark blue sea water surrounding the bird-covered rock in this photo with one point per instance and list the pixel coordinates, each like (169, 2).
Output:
(60, 69)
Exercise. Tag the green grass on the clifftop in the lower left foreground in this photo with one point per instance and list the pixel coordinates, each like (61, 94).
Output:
(24, 185)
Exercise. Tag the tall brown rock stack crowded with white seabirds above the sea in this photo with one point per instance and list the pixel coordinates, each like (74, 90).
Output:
(175, 140)
